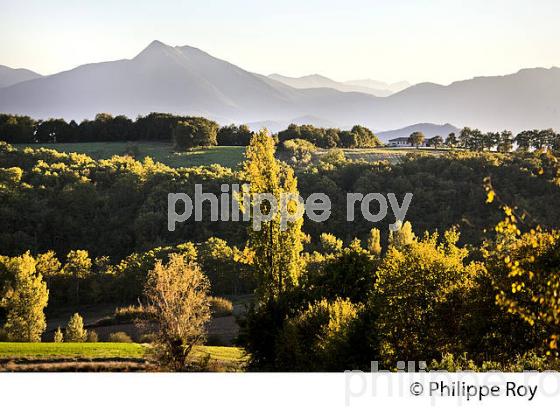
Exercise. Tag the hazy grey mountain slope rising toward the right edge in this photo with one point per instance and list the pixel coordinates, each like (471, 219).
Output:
(527, 99)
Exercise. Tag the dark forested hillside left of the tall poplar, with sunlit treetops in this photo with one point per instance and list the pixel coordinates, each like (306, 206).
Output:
(108, 207)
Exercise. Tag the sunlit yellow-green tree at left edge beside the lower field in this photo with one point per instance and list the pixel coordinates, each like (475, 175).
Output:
(25, 300)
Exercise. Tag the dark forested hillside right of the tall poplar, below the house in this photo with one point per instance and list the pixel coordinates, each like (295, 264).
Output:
(437, 184)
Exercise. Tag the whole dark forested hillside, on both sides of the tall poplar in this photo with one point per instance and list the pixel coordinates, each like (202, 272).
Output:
(113, 207)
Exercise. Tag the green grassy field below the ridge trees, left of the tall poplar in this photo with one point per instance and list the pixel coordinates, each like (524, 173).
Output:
(161, 152)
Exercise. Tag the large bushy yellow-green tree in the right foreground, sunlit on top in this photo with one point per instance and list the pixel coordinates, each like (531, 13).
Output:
(418, 292)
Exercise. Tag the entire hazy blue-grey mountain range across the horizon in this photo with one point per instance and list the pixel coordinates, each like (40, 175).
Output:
(187, 80)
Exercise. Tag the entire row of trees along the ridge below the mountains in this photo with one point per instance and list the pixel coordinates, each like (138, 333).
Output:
(188, 132)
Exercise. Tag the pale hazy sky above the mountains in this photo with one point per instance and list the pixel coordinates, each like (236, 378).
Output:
(414, 40)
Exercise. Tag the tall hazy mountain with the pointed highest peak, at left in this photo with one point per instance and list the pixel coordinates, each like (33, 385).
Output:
(160, 78)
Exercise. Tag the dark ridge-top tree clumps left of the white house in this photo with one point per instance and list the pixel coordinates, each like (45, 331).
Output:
(184, 131)
